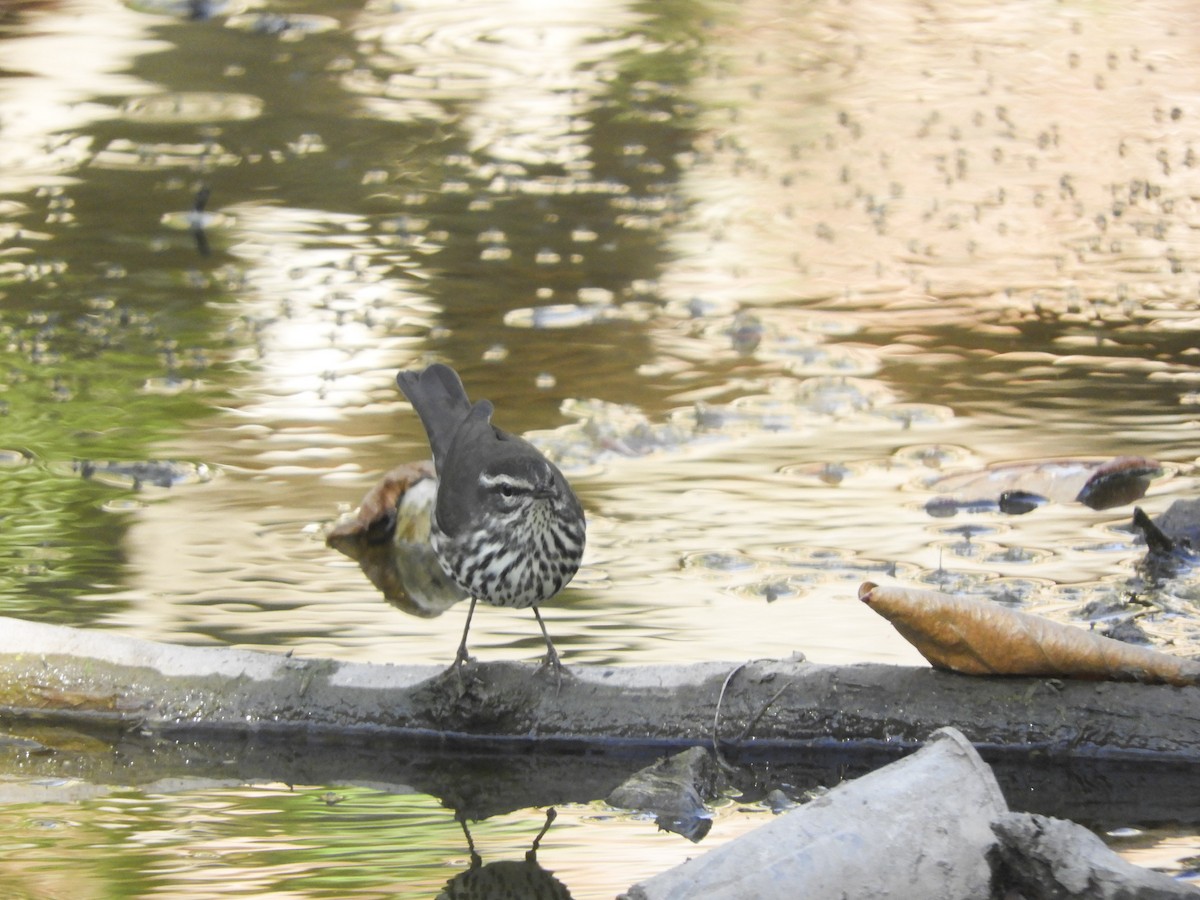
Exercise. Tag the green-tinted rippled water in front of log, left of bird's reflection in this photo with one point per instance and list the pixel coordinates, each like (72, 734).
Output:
(247, 842)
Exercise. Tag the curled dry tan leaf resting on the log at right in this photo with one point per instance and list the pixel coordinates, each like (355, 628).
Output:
(982, 638)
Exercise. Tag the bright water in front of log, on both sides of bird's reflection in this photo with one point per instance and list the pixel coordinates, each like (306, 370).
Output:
(202, 841)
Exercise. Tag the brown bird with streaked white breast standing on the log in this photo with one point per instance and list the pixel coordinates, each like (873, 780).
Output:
(506, 527)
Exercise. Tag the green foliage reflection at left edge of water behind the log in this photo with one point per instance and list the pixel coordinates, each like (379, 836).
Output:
(92, 371)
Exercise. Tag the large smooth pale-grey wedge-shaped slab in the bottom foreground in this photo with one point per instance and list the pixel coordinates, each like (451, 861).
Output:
(919, 829)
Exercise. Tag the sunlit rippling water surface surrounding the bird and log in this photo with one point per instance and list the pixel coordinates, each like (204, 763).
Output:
(821, 254)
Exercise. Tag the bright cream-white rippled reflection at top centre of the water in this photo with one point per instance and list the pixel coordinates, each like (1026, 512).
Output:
(525, 74)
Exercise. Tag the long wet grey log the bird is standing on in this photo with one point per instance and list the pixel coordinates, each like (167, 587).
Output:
(763, 705)
